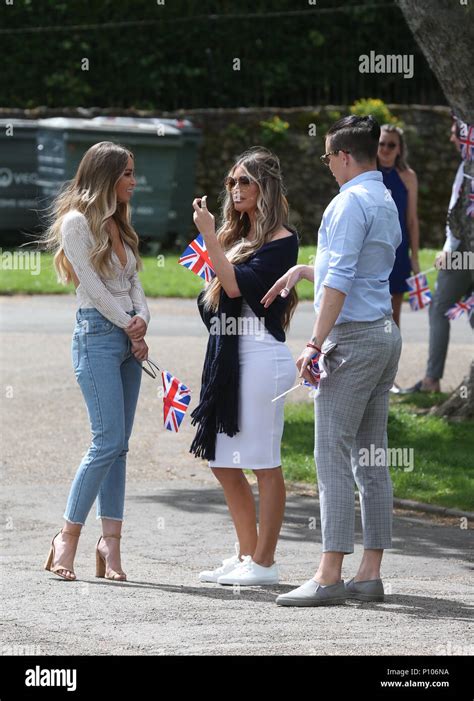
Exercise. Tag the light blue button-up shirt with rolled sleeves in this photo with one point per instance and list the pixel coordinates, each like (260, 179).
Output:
(359, 234)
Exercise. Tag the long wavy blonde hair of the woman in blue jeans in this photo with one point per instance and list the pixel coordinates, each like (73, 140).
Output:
(92, 192)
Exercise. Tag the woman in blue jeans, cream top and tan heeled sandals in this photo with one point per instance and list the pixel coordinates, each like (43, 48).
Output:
(96, 248)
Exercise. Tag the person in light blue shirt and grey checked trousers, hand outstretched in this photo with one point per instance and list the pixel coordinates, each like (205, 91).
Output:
(357, 346)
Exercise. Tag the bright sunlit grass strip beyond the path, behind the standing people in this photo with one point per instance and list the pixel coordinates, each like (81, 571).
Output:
(161, 276)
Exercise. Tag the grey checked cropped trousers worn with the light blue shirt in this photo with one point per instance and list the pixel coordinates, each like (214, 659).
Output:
(351, 412)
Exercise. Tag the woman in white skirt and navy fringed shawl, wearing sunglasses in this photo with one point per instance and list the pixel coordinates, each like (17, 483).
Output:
(247, 362)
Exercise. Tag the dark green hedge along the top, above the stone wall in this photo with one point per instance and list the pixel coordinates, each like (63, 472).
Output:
(181, 53)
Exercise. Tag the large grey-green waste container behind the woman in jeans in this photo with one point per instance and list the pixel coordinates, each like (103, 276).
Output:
(164, 165)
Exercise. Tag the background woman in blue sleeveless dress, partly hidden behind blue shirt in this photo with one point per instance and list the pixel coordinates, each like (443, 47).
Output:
(402, 182)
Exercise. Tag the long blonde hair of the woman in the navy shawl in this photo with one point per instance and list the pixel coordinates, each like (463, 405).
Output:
(263, 168)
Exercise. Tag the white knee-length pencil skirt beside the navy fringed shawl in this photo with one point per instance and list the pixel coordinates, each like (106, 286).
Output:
(267, 369)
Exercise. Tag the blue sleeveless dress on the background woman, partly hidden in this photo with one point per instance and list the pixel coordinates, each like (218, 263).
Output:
(402, 266)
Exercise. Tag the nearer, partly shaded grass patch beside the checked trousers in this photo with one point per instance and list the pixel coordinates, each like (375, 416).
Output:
(443, 468)
